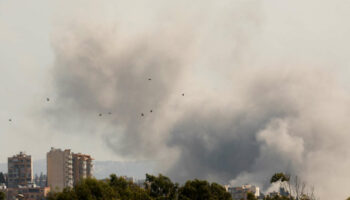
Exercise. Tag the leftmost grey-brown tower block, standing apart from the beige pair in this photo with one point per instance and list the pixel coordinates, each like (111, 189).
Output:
(20, 170)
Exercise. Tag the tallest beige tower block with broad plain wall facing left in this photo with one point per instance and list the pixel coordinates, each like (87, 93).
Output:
(59, 169)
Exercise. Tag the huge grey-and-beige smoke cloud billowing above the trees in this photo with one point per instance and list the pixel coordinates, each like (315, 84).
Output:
(249, 109)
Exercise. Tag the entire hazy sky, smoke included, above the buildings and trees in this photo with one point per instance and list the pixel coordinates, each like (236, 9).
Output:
(265, 86)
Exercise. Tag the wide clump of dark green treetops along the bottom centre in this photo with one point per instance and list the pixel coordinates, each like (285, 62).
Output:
(156, 188)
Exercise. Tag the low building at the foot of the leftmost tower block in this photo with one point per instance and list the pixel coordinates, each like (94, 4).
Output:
(29, 192)
